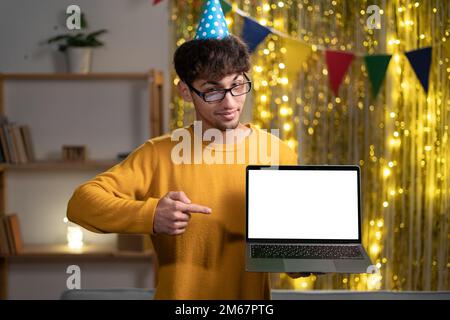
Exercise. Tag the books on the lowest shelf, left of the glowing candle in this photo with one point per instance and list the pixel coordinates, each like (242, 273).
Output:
(10, 235)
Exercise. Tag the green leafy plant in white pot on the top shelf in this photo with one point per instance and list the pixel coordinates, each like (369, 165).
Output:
(78, 47)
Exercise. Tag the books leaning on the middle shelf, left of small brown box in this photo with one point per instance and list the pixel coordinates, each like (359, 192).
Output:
(16, 146)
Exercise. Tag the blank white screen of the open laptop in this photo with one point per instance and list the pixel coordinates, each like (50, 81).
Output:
(303, 204)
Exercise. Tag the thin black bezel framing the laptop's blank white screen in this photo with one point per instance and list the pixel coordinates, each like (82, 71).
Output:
(304, 167)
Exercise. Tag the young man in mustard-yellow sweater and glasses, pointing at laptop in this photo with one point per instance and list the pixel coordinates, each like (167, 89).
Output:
(194, 212)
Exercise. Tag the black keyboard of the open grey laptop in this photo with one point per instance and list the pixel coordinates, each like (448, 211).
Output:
(305, 252)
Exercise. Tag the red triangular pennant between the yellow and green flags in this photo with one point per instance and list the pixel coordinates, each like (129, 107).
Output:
(338, 63)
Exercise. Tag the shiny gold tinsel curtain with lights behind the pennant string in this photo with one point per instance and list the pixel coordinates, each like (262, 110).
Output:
(399, 138)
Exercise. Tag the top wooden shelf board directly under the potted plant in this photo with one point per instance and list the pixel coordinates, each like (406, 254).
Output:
(76, 76)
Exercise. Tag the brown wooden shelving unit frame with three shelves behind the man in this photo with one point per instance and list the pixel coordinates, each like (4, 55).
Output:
(30, 253)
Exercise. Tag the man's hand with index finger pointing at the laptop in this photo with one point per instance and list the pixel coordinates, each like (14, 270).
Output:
(173, 213)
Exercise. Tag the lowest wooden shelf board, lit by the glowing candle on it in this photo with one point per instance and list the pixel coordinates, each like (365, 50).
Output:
(88, 251)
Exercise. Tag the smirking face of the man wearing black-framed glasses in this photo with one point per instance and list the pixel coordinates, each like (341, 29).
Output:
(224, 114)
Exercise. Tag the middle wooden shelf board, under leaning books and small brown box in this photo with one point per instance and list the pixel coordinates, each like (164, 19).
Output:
(60, 165)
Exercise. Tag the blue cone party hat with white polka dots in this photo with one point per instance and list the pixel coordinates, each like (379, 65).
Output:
(212, 22)
